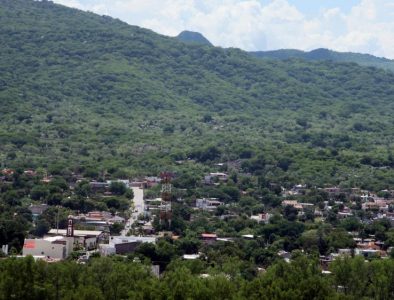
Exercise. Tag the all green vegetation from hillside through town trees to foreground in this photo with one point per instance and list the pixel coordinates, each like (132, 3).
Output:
(87, 97)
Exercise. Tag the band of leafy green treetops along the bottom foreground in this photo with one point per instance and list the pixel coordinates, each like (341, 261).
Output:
(121, 278)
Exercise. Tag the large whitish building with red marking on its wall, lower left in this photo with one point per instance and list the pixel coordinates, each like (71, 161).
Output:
(57, 247)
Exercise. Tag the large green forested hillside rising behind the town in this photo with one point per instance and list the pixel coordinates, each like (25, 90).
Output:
(86, 92)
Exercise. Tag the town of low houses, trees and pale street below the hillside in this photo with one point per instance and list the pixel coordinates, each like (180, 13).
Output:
(74, 217)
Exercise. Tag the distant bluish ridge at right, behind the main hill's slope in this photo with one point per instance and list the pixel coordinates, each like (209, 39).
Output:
(322, 54)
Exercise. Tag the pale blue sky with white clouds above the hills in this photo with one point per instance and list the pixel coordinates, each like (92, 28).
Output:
(365, 26)
